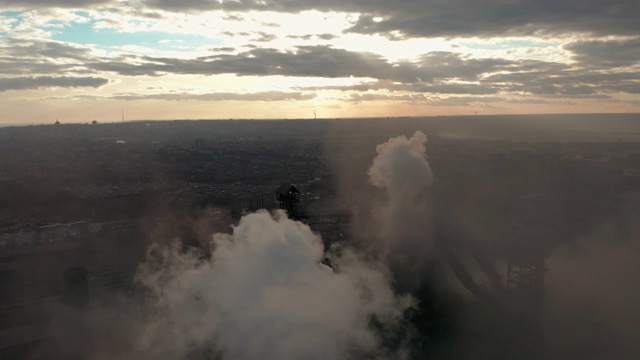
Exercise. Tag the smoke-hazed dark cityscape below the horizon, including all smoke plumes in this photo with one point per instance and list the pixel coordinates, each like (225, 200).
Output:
(469, 237)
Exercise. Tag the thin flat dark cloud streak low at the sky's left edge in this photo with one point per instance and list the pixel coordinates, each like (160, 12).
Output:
(36, 82)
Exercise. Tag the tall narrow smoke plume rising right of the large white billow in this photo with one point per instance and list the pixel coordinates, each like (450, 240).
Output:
(401, 169)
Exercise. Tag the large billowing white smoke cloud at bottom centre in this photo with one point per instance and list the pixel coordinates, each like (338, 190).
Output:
(263, 294)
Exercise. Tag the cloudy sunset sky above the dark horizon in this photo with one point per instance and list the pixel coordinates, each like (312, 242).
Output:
(84, 60)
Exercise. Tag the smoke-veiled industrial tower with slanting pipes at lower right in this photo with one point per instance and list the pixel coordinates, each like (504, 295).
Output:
(516, 294)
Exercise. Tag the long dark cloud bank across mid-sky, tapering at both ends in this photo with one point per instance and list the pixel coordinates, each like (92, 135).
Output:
(323, 61)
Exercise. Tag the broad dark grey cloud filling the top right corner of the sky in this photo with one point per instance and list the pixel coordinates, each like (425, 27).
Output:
(499, 18)
